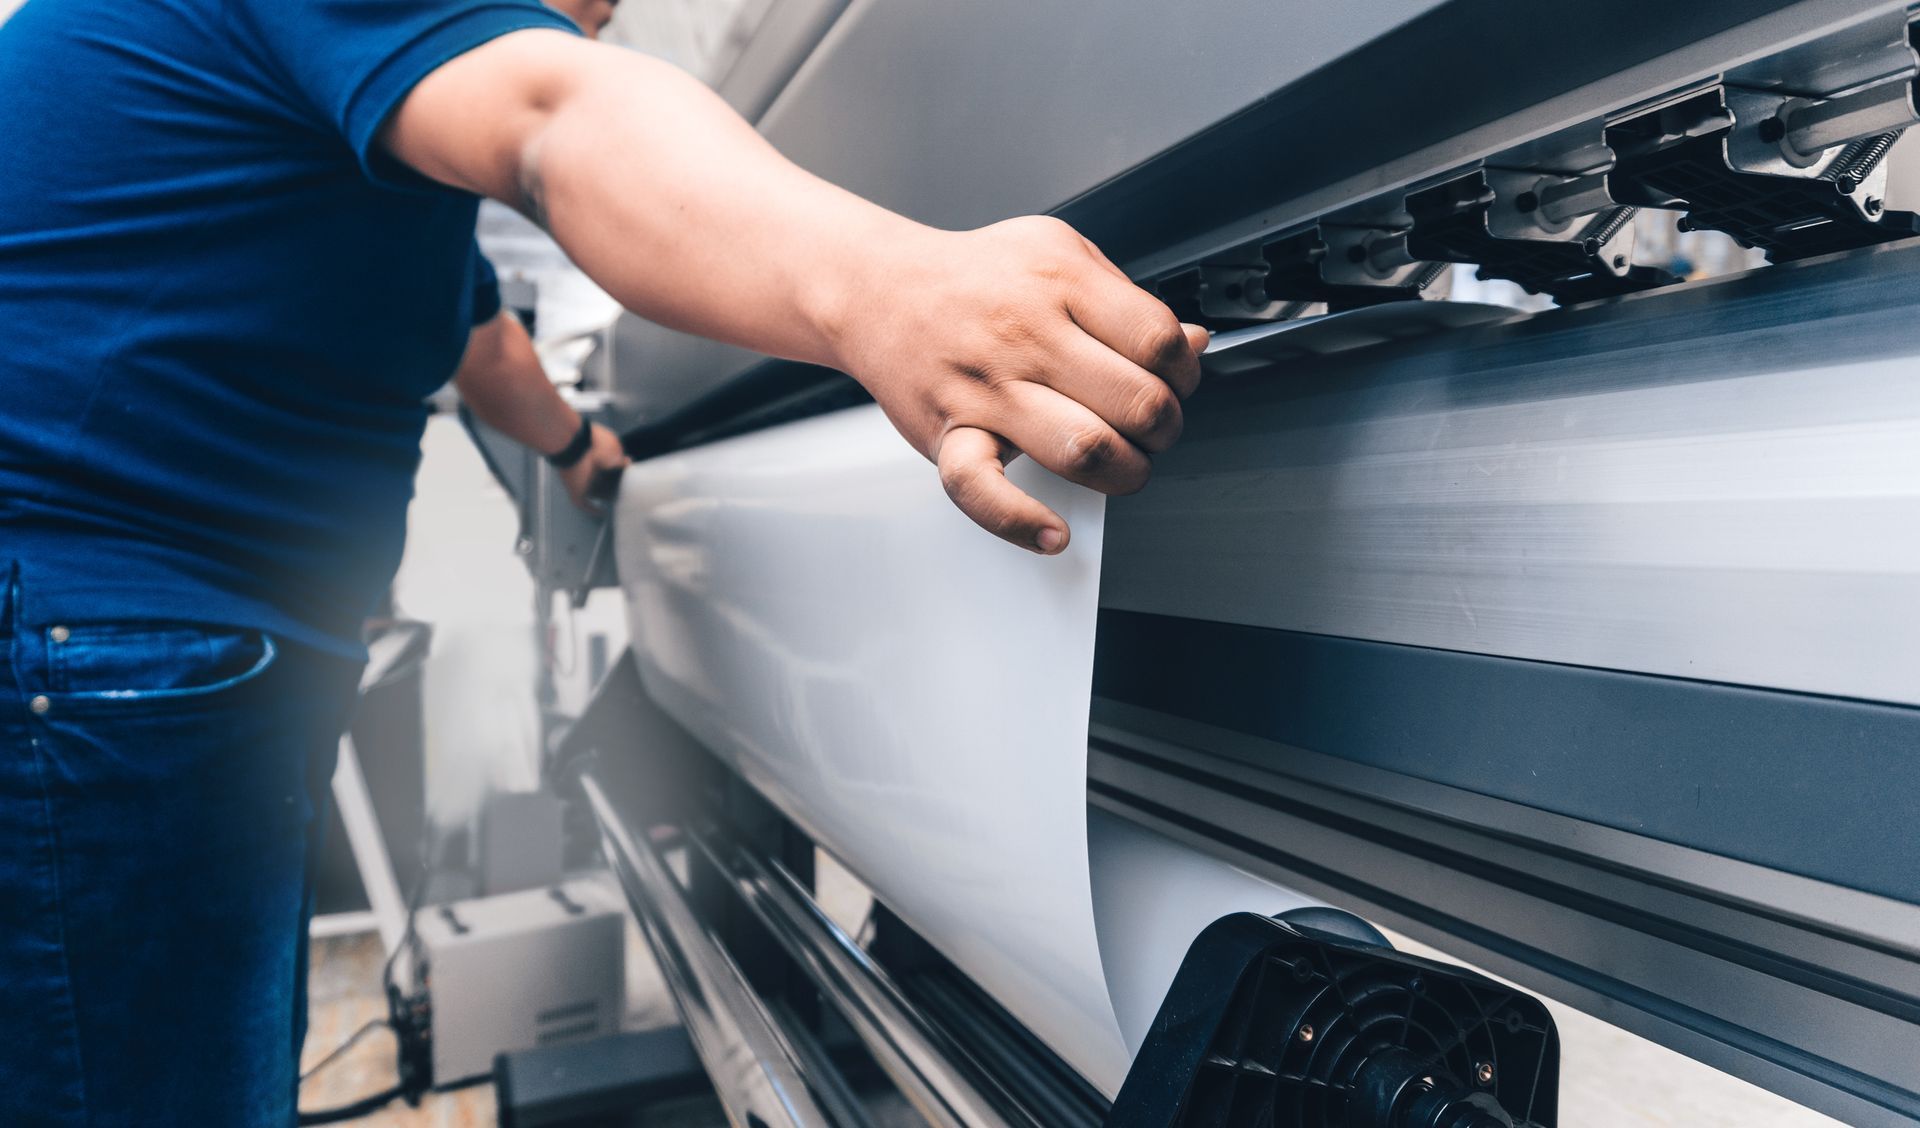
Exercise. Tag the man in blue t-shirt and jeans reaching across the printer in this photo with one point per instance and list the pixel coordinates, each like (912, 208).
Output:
(235, 256)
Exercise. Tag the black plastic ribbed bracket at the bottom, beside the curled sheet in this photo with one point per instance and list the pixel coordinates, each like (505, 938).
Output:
(1285, 1027)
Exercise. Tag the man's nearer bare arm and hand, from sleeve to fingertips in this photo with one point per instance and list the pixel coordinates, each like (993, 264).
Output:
(1015, 339)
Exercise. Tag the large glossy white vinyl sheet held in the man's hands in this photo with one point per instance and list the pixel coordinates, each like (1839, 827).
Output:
(915, 695)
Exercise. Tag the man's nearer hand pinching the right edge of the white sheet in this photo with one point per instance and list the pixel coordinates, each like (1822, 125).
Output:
(1022, 339)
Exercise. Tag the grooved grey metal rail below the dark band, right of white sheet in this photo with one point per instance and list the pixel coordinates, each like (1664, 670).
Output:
(1719, 960)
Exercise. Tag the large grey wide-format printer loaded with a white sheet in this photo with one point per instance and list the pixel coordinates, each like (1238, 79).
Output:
(1581, 644)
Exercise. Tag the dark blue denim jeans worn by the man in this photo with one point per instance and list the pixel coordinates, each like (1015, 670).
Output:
(160, 797)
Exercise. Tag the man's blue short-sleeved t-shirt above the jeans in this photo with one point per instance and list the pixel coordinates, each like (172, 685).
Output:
(222, 304)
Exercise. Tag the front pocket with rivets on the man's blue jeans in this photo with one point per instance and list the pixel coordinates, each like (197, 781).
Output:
(153, 663)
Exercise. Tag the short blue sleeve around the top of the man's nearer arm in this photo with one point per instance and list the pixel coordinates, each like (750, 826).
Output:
(352, 62)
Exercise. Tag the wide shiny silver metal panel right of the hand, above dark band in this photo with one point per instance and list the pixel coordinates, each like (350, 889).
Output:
(1716, 482)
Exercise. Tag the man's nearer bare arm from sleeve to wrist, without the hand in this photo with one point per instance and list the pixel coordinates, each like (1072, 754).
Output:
(669, 200)
